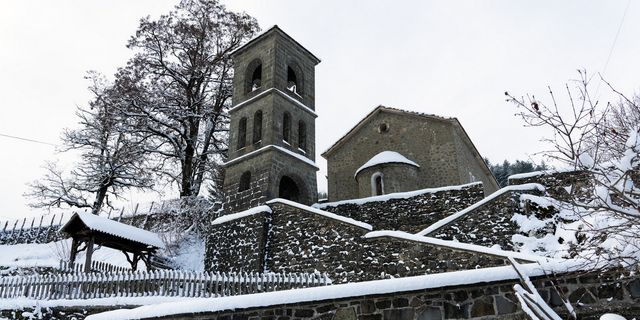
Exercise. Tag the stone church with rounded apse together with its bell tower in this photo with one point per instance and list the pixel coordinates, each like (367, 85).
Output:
(272, 138)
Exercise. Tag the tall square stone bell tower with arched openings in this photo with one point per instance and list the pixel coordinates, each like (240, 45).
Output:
(272, 131)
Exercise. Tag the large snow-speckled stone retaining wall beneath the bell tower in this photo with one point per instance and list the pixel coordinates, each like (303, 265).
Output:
(302, 241)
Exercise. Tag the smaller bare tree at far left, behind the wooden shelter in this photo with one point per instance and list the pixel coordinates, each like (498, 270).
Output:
(111, 159)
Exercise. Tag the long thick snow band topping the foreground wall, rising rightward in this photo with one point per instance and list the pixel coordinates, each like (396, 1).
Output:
(340, 291)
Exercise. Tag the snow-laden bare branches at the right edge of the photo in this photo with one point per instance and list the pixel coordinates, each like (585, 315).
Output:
(583, 139)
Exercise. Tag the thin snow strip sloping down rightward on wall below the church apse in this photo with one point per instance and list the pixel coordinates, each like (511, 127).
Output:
(456, 245)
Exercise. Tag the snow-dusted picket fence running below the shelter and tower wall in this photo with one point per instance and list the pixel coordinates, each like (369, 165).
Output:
(171, 283)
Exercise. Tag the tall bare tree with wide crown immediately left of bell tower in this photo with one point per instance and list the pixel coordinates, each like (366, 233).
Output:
(178, 88)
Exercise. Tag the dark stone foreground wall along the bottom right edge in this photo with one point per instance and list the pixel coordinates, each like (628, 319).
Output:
(591, 296)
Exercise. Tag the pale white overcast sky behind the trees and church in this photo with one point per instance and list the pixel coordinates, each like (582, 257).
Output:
(450, 58)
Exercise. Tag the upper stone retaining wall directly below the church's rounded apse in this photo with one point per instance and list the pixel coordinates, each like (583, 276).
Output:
(410, 214)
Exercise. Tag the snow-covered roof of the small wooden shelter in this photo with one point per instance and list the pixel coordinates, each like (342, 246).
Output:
(97, 223)
